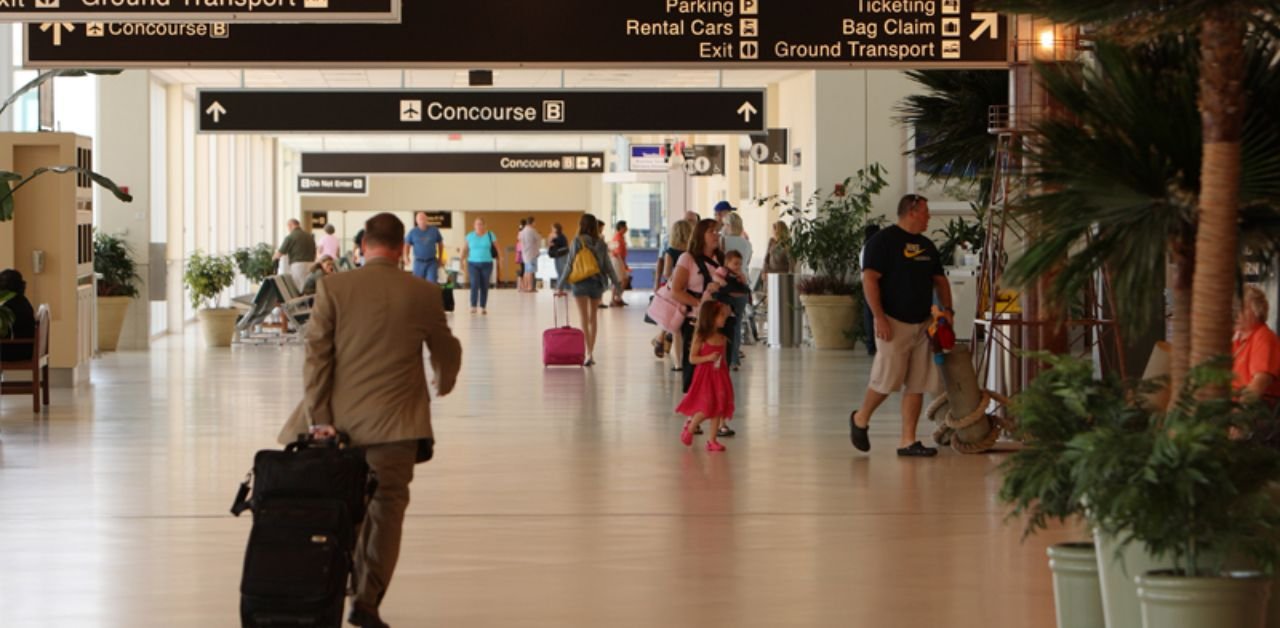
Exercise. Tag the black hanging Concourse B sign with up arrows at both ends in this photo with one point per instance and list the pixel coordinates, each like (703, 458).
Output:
(482, 111)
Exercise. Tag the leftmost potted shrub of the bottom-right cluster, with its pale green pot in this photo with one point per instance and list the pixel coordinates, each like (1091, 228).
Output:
(1064, 402)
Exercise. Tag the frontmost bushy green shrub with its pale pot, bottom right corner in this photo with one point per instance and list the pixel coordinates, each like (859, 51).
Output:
(1187, 492)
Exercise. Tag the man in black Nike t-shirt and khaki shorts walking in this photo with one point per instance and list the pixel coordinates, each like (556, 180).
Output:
(902, 271)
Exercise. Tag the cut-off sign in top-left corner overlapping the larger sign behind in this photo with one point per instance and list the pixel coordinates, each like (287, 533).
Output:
(99, 12)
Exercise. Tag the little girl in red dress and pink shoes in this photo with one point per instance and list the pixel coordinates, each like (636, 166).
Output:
(711, 396)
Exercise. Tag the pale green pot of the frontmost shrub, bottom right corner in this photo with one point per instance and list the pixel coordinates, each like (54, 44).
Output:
(1236, 601)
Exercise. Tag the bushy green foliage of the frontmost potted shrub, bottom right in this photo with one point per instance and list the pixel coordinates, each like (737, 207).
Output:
(1183, 487)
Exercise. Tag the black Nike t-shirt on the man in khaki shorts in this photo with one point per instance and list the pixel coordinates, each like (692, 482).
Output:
(908, 265)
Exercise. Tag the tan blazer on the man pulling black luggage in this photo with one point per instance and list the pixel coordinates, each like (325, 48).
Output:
(365, 373)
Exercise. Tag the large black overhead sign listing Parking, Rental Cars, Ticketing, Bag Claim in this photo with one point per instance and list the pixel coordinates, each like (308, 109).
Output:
(570, 34)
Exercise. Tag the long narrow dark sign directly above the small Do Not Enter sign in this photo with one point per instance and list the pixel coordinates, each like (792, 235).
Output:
(454, 163)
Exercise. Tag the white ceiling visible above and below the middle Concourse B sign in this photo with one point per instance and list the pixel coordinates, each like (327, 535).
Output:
(447, 80)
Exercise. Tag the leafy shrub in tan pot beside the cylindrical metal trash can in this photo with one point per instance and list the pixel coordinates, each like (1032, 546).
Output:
(826, 240)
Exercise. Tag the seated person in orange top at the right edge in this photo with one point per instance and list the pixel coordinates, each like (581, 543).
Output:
(1256, 350)
